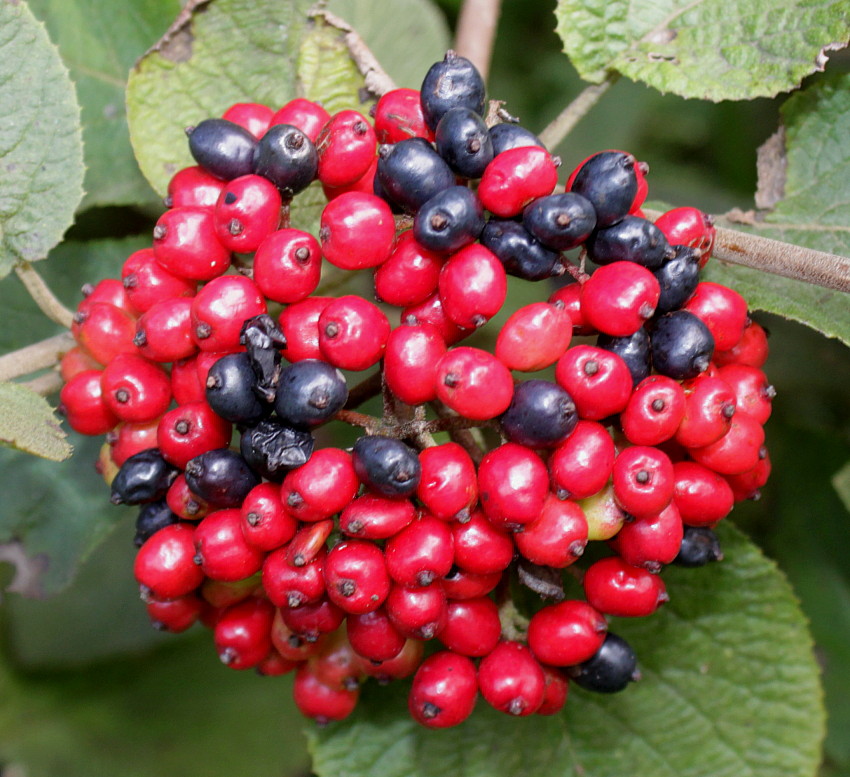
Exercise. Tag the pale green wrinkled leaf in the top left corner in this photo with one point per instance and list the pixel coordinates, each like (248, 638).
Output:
(41, 154)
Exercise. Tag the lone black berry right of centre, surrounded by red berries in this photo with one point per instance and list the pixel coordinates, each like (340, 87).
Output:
(541, 415)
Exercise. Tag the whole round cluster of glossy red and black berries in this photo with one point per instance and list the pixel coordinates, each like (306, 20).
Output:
(213, 360)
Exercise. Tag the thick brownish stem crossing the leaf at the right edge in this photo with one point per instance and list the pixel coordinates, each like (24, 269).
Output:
(786, 259)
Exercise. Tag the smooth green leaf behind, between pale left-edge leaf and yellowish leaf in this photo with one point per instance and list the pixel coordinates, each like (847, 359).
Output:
(100, 46)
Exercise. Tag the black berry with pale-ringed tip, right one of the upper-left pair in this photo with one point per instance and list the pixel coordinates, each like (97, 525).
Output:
(286, 157)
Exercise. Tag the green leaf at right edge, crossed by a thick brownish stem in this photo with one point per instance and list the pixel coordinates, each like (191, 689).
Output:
(803, 174)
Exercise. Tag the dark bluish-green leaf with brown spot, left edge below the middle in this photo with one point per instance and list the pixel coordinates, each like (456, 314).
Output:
(48, 528)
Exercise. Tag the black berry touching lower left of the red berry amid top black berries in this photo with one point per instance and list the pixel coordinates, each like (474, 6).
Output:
(450, 220)
